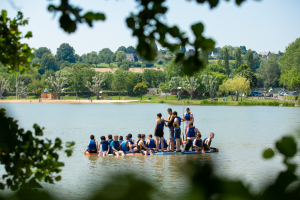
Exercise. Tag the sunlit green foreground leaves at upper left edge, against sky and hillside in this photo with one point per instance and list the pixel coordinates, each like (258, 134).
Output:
(16, 56)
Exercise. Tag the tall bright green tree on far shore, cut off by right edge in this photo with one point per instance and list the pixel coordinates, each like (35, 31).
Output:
(290, 67)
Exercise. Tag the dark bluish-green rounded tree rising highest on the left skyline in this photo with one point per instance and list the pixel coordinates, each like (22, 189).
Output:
(65, 53)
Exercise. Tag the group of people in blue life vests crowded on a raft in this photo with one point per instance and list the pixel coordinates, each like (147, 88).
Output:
(119, 146)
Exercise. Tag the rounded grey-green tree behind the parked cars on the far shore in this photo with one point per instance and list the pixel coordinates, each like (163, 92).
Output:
(269, 71)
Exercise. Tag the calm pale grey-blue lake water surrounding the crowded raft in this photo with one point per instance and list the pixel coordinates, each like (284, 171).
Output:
(241, 134)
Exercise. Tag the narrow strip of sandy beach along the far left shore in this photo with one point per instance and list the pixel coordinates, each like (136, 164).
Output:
(66, 101)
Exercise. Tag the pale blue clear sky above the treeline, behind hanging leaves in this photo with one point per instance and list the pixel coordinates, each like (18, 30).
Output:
(267, 25)
